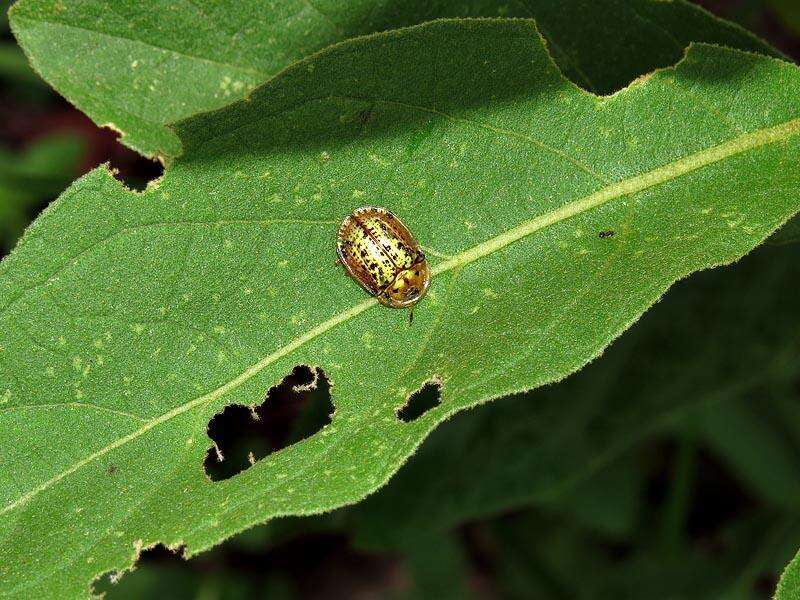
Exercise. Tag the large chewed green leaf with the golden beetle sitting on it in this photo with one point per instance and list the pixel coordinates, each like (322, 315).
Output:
(129, 320)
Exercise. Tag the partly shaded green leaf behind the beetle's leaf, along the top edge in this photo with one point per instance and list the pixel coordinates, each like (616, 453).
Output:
(138, 65)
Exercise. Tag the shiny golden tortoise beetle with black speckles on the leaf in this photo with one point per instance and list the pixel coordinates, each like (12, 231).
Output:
(379, 252)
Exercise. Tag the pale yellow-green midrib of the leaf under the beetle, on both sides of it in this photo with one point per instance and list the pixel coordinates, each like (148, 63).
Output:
(623, 188)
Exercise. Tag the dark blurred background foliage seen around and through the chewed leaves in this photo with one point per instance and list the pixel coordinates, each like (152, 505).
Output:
(667, 469)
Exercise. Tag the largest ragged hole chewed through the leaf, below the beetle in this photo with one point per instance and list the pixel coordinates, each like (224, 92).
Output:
(295, 409)
